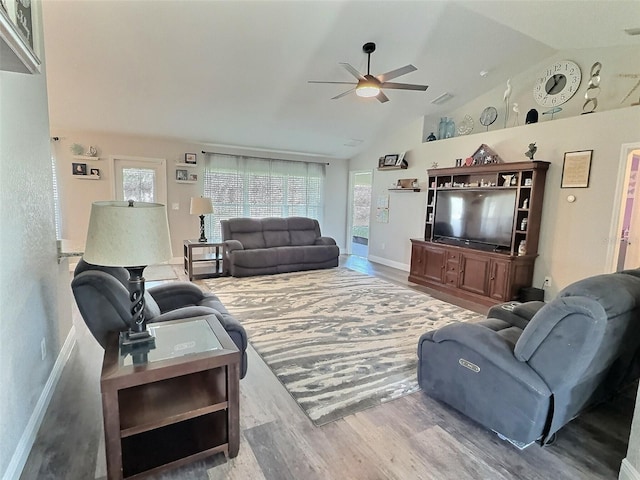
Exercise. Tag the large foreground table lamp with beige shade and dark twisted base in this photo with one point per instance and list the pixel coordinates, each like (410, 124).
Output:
(130, 235)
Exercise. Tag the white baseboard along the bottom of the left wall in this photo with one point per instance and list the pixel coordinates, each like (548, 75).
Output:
(21, 453)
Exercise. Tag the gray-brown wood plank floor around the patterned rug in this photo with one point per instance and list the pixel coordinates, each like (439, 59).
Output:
(413, 437)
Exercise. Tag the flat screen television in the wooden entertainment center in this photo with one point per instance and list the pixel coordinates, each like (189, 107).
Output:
(475, 216)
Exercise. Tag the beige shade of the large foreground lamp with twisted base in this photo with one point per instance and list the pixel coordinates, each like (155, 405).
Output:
(127, 234)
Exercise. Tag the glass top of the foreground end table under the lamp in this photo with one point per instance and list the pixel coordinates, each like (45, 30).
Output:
(172, 340)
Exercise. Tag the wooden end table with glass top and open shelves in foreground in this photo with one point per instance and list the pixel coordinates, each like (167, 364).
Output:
(175, 403)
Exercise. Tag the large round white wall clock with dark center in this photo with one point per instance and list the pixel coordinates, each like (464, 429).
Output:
(557, 83)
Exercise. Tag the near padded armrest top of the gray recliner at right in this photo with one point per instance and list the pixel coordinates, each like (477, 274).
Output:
(492, 348)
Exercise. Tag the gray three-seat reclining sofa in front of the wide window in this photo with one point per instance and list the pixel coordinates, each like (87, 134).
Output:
(276, 245)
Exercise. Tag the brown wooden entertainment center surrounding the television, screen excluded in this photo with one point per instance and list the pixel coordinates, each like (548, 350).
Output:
(471, 271)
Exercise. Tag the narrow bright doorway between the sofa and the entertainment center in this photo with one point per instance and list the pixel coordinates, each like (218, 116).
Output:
(360, 212)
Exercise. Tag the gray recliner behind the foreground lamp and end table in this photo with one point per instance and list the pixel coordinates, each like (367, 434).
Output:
(103, 300)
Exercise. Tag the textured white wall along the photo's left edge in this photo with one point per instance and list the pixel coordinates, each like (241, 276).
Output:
(35, 300)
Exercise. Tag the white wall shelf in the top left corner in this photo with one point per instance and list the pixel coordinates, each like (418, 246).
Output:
(15, 53)
